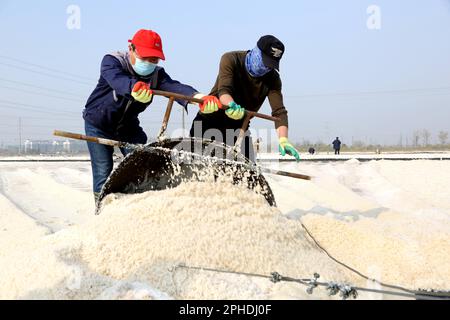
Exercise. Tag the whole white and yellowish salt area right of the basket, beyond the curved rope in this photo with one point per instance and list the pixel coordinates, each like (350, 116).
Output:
(389, 220)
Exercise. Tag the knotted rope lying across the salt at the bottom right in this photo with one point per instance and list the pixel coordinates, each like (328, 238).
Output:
(345, 291)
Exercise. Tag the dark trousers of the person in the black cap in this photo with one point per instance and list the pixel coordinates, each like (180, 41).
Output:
(222, 132)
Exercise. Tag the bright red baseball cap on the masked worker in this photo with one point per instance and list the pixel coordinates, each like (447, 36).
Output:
(148, 44)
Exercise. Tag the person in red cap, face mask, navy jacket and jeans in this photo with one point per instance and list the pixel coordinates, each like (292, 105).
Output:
(124, 90)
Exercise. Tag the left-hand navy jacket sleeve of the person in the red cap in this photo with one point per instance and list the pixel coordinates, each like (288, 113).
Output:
(118, 79)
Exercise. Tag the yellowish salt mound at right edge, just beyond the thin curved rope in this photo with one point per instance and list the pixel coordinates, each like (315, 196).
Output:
(391, 249)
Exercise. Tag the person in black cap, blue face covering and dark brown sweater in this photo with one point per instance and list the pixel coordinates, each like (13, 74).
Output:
(246, 79)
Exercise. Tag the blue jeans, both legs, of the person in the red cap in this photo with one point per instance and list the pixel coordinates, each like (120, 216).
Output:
(102, 161)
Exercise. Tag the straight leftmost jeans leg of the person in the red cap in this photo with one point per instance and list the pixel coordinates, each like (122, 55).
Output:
(101, 159)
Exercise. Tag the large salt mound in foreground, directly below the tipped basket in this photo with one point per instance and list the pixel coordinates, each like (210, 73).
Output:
(138, 238)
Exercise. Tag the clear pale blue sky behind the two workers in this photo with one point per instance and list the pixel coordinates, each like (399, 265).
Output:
(339, 77)
